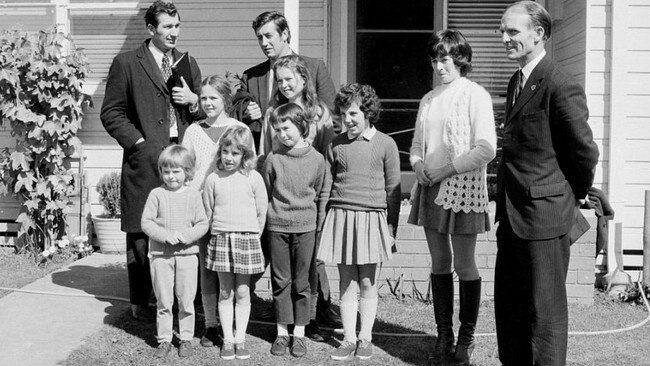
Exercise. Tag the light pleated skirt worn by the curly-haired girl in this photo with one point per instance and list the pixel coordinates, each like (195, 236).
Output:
(355, 237)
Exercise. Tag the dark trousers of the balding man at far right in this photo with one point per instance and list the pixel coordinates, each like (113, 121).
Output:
(530, 299)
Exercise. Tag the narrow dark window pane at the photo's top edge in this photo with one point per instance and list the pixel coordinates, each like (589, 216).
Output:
(391, 14)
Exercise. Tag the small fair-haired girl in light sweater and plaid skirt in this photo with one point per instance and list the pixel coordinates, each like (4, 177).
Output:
(235, 201)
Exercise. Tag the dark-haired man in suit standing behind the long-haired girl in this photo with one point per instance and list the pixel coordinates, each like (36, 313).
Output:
(273, 35)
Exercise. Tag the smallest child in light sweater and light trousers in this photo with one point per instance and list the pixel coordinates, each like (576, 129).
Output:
(174, 219)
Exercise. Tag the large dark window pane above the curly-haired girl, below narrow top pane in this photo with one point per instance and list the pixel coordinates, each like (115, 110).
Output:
(396, 65)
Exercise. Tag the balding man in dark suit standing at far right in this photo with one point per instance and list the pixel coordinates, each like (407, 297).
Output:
(548, 165)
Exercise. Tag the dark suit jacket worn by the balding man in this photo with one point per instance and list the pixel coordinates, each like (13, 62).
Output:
(549, 154)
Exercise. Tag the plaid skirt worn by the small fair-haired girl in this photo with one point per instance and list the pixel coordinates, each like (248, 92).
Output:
(235, 253)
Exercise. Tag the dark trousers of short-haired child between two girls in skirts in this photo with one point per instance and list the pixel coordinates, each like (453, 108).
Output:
(291, 258)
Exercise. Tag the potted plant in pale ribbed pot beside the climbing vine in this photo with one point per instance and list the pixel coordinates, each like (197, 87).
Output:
(110, 237)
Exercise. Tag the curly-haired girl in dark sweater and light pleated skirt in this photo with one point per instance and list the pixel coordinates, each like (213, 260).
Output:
(363, 212)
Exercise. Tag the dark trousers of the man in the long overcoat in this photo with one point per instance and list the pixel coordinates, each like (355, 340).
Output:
(137, 264)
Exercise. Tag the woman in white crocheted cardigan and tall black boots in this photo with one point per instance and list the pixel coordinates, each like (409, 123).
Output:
(454, 140)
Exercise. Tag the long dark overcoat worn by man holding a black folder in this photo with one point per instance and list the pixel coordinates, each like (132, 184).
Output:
(136, 105)
